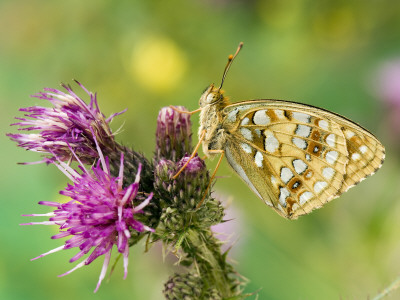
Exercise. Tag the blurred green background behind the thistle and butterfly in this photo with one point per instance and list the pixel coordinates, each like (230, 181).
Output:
(144, 55)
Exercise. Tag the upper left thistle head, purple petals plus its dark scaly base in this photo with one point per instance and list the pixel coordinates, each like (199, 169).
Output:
(71, 128)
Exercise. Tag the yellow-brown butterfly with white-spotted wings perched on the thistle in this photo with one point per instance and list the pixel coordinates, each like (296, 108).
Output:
(295, 157)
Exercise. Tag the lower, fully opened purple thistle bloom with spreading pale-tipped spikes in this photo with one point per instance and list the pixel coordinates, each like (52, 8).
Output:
(100, 215)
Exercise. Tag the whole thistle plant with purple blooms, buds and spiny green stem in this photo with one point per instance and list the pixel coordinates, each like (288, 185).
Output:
(117, 196)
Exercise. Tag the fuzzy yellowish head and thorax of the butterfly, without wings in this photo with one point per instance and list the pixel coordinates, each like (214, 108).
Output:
(212, 103)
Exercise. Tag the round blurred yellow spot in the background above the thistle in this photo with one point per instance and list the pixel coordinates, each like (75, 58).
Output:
(158, 63)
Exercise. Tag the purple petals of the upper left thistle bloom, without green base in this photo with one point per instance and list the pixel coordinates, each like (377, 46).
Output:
(69, 124)
